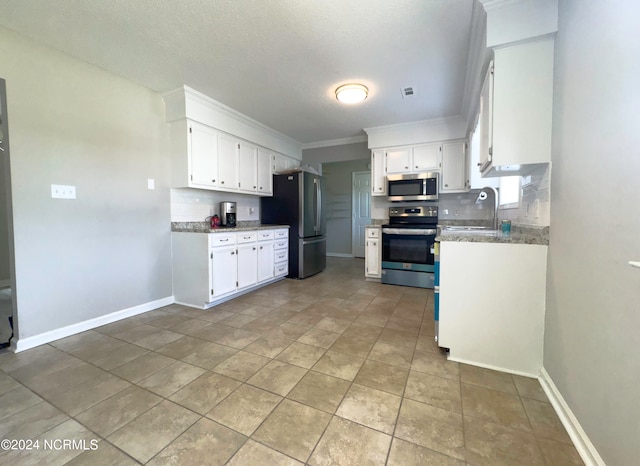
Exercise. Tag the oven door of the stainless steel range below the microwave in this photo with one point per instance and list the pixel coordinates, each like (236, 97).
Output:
(408, 249)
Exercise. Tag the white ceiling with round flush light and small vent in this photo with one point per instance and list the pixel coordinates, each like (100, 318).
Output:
(276, 61)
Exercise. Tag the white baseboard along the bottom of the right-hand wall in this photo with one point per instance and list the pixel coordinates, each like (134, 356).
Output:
(586, 449)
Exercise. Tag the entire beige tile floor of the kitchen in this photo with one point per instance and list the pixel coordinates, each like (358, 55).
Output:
(328, 370)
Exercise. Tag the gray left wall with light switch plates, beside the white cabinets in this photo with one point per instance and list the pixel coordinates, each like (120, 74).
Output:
(110, 249)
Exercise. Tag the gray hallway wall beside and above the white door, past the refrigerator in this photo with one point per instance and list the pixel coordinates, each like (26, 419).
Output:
(338, 187)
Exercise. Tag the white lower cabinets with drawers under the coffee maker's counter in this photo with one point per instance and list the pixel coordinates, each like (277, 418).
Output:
(209, 268)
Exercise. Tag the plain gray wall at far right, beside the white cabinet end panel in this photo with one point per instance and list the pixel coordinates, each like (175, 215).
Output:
(593, 297)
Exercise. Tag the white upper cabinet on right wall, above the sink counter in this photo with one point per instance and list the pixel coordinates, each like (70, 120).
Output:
(517, 133)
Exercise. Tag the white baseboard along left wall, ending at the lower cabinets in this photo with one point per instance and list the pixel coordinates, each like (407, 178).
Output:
(22, 344)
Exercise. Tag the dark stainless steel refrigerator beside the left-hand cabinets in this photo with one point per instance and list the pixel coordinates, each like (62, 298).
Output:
(298, 201)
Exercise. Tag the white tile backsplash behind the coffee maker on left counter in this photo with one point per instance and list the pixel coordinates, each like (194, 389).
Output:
(195, 205)
